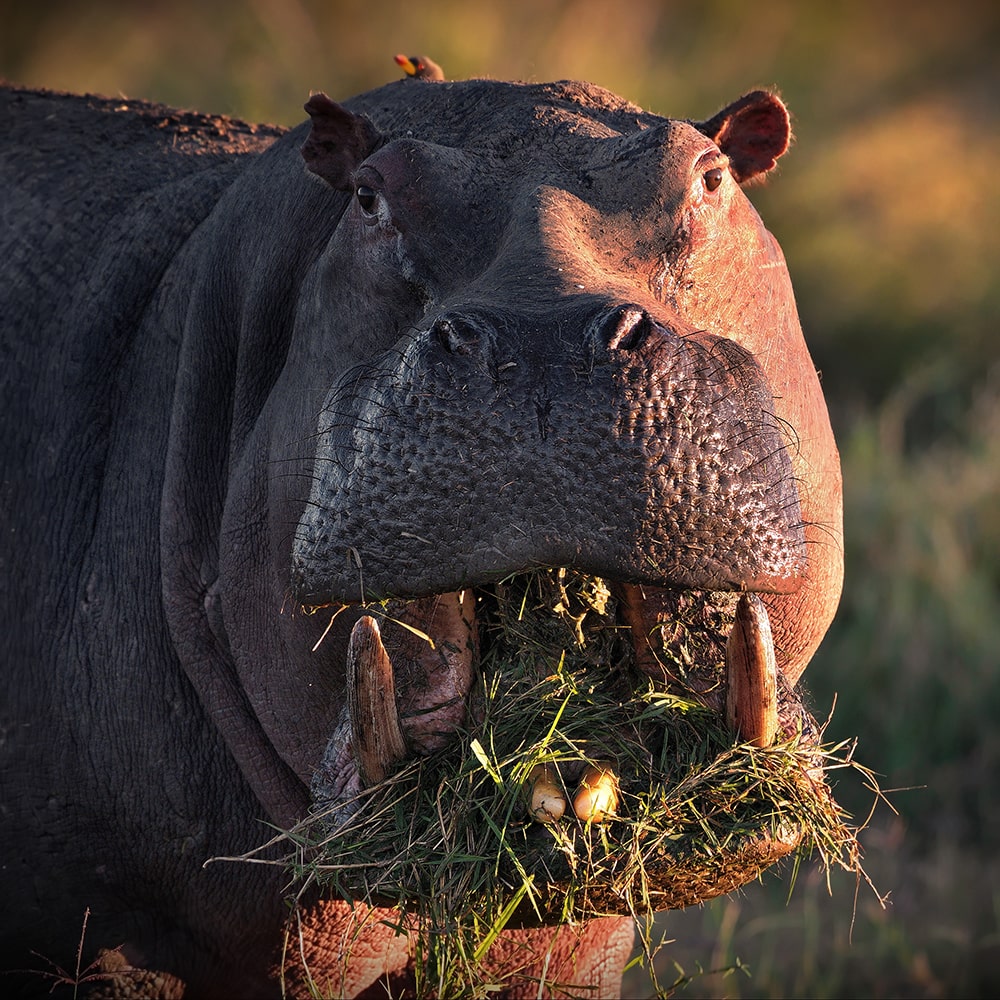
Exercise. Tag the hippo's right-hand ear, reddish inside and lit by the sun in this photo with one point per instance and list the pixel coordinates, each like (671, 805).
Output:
(753, 132)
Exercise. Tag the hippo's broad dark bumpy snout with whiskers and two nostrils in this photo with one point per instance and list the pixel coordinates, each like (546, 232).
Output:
(608, 442)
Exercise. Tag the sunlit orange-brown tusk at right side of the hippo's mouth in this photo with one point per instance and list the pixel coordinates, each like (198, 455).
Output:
(752, 674)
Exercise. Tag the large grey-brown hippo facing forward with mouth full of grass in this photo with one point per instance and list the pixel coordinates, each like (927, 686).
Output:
(438, 334)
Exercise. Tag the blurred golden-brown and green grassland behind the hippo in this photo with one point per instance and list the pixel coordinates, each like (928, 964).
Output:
(888, 209)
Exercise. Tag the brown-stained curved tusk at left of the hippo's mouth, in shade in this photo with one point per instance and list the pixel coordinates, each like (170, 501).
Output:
(371, 698)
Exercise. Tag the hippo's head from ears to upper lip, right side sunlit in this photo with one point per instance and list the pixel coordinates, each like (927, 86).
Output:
(565, 340)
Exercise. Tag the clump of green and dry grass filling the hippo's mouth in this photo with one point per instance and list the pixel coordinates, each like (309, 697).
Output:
(449, 838)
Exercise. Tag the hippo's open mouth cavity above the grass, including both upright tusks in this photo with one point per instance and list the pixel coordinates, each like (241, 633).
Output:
(411, 680)
